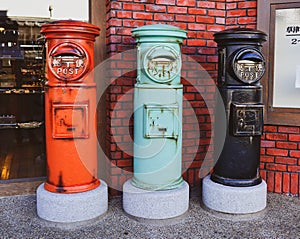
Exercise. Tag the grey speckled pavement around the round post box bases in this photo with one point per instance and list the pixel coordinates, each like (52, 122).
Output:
(281, 219)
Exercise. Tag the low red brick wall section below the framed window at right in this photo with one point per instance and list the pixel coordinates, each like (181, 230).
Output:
(280, 159)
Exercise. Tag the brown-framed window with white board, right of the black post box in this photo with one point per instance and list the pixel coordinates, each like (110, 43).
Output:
(280, 19)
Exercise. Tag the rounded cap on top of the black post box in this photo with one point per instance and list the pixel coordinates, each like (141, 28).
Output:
(244, 34)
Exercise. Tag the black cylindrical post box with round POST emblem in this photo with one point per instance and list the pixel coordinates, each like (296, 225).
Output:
(240, 68)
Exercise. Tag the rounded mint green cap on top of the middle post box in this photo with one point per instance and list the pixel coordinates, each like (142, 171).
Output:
(152, 33)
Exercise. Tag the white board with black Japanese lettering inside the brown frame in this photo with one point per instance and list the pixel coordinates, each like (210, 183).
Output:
(286, 92)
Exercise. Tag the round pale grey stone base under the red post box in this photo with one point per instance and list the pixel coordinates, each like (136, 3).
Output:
(75, 207)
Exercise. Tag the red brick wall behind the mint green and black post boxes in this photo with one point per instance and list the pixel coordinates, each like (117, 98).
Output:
(201, 19)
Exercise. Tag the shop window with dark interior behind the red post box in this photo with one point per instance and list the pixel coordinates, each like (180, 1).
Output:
(22, 64)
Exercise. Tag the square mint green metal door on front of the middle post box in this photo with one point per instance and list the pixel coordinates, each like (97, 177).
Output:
(161, 121)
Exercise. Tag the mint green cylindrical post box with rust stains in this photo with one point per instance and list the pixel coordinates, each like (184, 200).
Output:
(158, 108)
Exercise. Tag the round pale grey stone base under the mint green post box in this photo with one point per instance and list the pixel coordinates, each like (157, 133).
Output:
(163, 204)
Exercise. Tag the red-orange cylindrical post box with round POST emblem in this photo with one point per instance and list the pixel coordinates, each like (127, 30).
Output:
(70, 101)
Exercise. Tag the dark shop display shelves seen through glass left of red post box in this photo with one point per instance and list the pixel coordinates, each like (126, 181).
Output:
(22, 140)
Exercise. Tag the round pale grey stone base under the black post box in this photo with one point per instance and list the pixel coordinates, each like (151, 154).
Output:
(235, 200)
